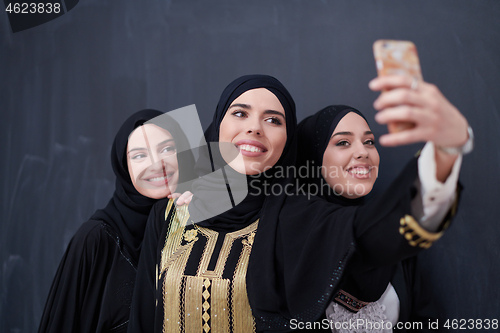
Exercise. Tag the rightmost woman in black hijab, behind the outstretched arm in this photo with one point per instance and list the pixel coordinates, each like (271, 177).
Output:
(343, 170)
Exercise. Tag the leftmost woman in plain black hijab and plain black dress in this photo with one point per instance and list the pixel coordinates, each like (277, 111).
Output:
(93, 286)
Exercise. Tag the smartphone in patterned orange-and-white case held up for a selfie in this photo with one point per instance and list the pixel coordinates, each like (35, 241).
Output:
(397, 57)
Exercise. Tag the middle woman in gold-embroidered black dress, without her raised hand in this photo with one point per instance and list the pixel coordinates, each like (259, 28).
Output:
(269, 260)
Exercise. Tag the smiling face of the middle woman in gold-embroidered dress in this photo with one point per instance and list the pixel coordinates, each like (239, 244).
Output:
(255, 123)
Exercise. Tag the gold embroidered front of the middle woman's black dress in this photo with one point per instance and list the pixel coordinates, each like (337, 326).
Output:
(201, 277)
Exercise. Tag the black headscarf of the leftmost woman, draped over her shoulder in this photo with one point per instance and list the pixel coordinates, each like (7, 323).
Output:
(128, 210)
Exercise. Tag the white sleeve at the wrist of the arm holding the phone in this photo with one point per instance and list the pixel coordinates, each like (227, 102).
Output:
(433, 199)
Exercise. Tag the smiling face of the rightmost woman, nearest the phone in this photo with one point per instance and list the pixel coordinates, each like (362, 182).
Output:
(350, 162)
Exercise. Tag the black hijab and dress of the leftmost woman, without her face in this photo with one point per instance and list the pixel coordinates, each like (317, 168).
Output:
(93, 286)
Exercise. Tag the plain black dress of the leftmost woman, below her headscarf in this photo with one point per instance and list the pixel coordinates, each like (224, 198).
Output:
(92, 289)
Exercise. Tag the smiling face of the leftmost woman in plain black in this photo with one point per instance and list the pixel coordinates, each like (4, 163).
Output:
(152, 161)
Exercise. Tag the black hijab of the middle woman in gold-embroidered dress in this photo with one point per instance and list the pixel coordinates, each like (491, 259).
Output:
(212, 188)
